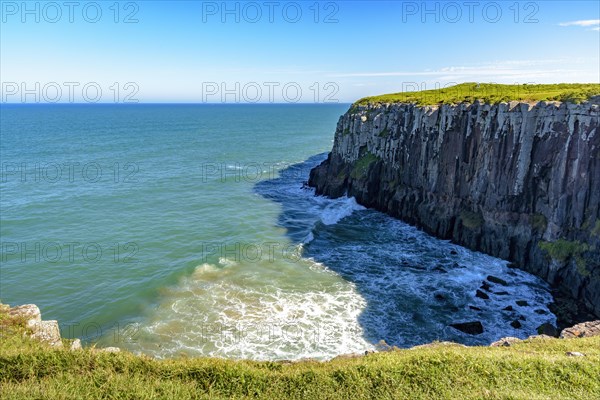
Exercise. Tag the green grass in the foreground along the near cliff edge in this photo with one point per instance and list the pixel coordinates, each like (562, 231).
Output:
(535, 369)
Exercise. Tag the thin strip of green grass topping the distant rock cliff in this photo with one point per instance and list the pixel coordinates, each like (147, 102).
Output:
(490, 93)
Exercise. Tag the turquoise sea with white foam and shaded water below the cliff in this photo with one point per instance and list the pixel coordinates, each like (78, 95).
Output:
(170, 229)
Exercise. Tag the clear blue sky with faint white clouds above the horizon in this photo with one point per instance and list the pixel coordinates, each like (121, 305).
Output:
(286, 51)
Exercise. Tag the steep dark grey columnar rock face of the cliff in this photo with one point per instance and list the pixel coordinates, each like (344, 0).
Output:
(515, 180)
